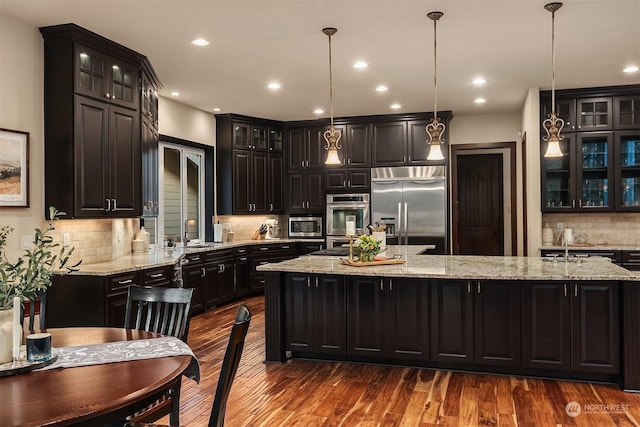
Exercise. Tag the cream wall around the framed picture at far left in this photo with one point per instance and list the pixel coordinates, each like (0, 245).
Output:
(22, 108)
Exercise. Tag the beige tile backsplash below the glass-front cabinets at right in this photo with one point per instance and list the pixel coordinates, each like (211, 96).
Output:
(600, 228)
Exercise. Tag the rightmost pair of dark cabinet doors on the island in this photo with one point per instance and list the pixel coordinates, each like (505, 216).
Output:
(572, 327)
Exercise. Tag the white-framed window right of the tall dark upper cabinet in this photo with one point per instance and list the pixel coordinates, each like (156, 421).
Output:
(181, 181)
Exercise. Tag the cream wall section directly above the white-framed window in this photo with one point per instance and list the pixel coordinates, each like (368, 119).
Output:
(181, 121)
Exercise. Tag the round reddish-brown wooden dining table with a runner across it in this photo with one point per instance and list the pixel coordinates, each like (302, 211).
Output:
(88, 395)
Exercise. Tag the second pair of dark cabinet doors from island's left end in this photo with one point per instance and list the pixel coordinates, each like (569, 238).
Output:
(388, 318)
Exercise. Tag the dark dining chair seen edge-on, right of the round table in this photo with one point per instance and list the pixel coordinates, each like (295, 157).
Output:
(228, 370)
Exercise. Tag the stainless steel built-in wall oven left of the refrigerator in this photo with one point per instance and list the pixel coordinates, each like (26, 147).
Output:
(338, 207)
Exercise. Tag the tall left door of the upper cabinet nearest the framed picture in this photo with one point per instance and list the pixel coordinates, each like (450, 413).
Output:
(91, 157)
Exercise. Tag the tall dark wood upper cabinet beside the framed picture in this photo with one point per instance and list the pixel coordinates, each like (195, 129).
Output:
(94, 124)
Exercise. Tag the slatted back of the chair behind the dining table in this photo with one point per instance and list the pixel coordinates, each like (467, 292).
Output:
(156, 309)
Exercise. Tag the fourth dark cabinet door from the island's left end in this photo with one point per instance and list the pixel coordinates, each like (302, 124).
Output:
(408, 319)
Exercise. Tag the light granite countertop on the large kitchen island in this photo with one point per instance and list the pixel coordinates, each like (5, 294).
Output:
(461, 267)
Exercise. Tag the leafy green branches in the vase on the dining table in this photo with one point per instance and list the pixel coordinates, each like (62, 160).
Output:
(32, 272)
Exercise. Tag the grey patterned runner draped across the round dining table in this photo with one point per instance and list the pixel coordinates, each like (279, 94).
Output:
(126, 351)
